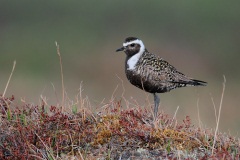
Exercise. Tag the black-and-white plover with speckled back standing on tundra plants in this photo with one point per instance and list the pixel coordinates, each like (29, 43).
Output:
(151, 73)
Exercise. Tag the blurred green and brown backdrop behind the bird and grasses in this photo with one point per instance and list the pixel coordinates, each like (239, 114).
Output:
(200, 38)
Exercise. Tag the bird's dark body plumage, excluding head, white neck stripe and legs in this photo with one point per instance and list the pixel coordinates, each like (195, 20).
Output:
(155, 75)
